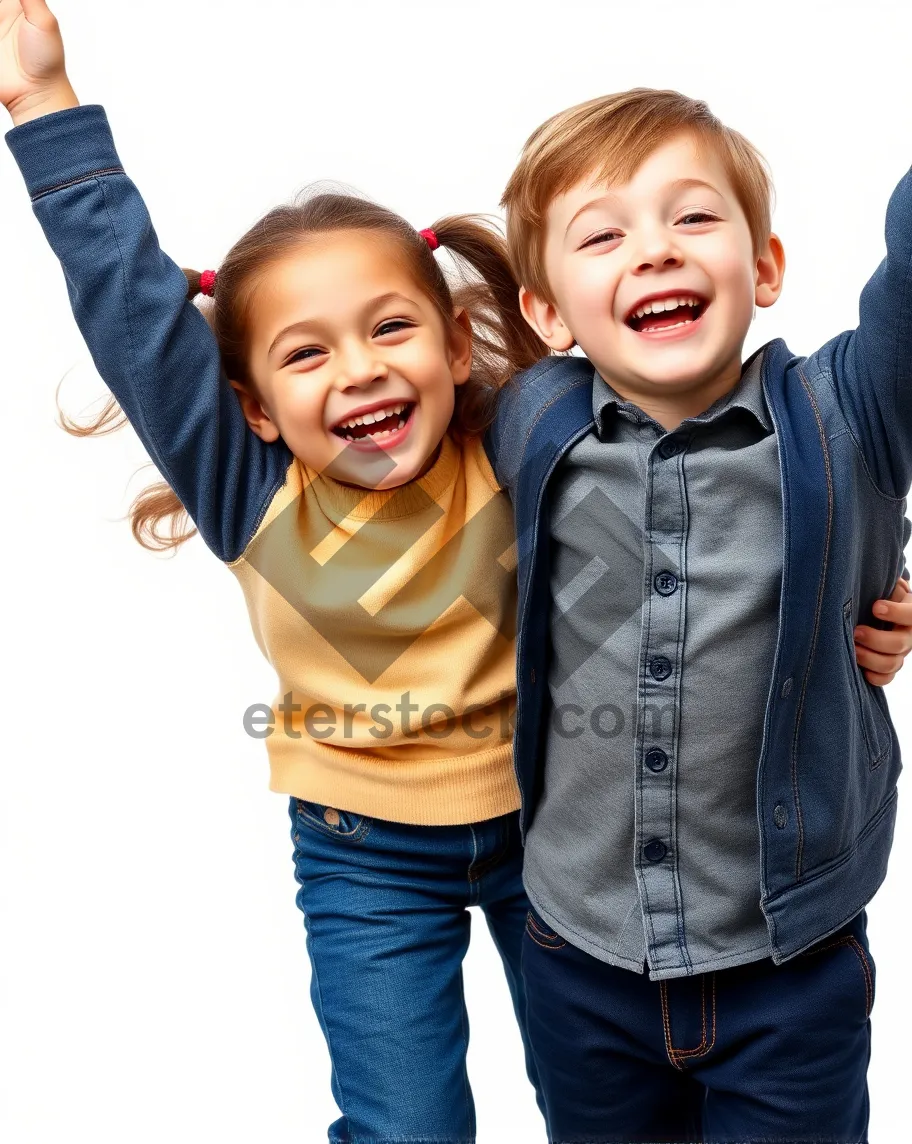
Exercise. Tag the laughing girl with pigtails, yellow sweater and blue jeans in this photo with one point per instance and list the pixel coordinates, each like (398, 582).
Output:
(328, 448)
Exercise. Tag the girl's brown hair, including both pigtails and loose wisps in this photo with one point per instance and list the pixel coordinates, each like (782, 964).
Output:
(503, 341)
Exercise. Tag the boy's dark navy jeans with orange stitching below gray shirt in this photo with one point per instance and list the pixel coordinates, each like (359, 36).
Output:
(759, 1053)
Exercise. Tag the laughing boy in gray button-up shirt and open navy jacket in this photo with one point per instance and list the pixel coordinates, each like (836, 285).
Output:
(710, 784)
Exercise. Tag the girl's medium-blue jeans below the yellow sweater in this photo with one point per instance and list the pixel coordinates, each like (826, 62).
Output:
(385, 908)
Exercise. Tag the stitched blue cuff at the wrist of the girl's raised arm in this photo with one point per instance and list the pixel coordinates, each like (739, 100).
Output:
(64, 148)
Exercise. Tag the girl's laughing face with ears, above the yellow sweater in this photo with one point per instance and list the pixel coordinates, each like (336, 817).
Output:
(353, 364)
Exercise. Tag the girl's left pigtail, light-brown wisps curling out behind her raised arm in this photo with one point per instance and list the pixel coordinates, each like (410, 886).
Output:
(158, 503)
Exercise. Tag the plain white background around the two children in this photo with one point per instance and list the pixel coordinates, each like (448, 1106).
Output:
(155, 980)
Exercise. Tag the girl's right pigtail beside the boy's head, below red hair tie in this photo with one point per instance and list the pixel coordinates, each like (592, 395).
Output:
(504, 344)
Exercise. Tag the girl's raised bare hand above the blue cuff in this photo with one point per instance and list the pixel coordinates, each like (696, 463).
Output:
(33, 73)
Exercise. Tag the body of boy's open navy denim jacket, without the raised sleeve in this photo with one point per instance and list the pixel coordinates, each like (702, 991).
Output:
(830, 758)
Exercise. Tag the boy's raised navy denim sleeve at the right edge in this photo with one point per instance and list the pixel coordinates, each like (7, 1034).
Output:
(871, 367)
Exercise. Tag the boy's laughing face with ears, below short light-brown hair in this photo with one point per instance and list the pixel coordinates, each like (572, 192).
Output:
(676, 242)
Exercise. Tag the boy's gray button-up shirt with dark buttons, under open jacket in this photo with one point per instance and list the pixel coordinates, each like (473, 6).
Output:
(645, 849)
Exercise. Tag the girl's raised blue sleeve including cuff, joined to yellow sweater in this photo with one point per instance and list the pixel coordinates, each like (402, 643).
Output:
(150, 345)
